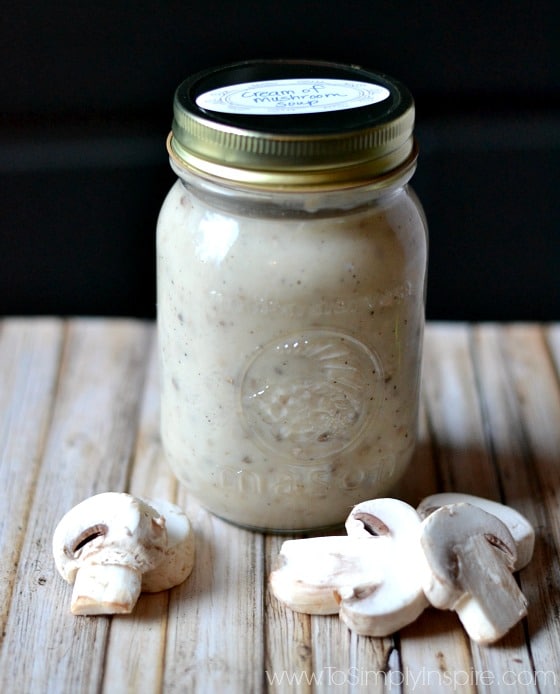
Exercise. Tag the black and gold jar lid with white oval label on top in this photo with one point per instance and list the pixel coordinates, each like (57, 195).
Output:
(293, 124)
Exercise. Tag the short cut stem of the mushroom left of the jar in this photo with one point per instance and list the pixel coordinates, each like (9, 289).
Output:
(105, 589)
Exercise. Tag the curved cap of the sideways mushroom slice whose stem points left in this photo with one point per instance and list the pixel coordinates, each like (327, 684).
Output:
(392, 529)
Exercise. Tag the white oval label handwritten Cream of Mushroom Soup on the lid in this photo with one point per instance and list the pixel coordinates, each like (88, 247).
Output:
(291, 96)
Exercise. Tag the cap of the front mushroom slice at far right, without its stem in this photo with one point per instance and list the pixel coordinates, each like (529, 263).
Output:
(444, 536)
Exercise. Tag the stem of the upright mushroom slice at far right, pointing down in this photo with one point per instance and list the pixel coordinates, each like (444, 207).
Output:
(492, 602)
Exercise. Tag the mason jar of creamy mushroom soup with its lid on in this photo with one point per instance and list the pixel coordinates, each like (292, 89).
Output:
(291, 282)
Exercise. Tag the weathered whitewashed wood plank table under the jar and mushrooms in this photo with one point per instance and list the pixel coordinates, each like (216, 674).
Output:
(79, 415)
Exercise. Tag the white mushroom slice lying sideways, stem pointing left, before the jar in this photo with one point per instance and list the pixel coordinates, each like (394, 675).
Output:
(366, 577)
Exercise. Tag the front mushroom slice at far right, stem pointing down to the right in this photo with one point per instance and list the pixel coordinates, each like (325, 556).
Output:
(470, 556)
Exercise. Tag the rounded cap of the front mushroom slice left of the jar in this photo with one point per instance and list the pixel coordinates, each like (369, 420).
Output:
(109, 528)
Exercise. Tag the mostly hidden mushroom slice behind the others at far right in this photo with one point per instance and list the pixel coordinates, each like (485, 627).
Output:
(521, 530)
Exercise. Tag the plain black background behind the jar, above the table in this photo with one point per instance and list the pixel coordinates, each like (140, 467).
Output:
(86, 99)
